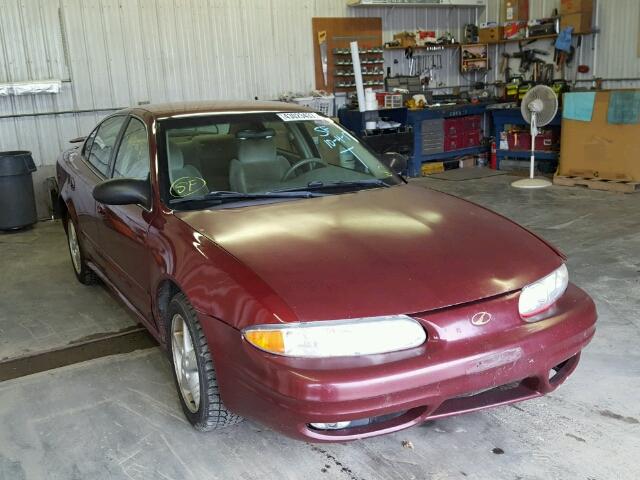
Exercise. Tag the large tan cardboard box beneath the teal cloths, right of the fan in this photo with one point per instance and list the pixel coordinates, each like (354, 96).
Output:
(599, 149)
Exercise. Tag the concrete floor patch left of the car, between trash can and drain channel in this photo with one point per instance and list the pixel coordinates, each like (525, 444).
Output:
(42, 306)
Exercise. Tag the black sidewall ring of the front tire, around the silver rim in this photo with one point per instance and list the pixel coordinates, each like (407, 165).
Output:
(176, 307)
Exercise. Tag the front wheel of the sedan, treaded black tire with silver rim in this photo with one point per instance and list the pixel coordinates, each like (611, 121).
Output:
(200, 399)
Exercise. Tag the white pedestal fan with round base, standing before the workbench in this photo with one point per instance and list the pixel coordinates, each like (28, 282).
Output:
(538, 108)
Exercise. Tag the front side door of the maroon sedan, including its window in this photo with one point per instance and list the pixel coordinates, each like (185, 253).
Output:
(122, 229)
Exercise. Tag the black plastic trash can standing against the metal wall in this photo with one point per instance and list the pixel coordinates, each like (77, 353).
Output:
(17, 201)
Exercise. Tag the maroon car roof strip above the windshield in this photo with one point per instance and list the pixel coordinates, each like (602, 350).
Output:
(160, 110)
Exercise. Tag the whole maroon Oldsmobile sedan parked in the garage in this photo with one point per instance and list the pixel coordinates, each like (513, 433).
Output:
(296, 280)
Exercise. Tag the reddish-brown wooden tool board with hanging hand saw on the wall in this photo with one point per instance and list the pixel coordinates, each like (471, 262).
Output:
(340, 33)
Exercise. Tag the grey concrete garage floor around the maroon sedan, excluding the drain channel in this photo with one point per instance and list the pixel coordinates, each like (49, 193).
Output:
(119, 418)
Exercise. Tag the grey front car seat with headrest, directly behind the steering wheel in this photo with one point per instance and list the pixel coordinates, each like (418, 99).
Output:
(258, 166)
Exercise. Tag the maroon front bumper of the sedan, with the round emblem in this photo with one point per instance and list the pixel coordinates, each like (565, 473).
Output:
(461, 368)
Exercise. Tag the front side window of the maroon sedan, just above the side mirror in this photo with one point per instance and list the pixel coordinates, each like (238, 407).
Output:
(132, 160)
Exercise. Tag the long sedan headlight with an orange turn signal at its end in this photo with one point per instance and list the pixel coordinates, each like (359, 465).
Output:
(338, 338)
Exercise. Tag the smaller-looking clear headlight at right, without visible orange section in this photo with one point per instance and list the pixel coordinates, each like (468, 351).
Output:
(536, 297)
